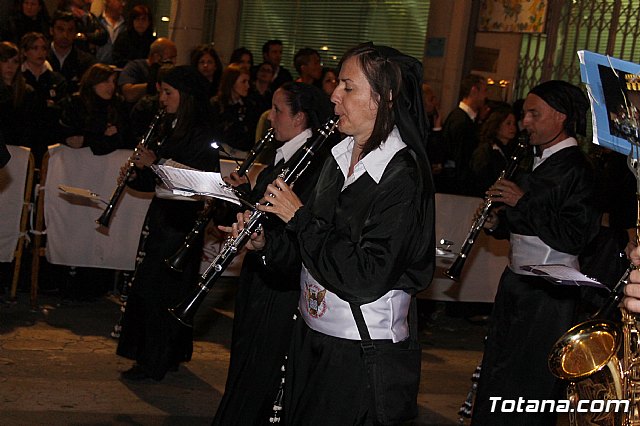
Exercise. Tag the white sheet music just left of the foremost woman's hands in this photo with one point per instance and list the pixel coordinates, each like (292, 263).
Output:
(195, 182)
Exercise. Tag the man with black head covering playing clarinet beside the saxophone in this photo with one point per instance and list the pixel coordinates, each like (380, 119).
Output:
(550, 216)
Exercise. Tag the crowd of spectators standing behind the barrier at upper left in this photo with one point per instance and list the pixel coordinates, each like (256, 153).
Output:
(81, 79)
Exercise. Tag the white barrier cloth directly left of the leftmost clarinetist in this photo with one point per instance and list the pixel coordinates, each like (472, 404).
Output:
(73, 237)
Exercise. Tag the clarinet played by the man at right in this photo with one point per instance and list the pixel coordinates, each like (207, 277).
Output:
(455, 269)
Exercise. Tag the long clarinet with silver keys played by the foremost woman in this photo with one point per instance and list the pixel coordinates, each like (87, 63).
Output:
(185, 310)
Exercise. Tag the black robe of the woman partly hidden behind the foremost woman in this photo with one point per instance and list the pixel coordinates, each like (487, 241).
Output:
(266, 301)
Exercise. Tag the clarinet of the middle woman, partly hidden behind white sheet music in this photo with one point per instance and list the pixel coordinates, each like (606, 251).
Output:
(177, 260)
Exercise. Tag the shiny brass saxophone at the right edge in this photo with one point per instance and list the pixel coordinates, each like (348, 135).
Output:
(601, 358)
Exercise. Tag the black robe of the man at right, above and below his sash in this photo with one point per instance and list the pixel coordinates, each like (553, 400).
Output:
(530, 313)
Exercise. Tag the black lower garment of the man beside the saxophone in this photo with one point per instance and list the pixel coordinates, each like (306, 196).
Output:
(529, 316)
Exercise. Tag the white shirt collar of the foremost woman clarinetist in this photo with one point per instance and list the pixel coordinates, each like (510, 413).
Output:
(373, 163)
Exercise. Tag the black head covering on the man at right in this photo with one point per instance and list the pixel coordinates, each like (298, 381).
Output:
(567, 99)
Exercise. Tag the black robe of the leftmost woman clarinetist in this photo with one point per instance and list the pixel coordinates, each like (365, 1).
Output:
(149, 335)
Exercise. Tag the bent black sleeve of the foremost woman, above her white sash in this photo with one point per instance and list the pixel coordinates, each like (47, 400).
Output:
(364, 269)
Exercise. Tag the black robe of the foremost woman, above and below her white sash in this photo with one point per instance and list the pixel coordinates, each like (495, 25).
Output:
(360, 243)
